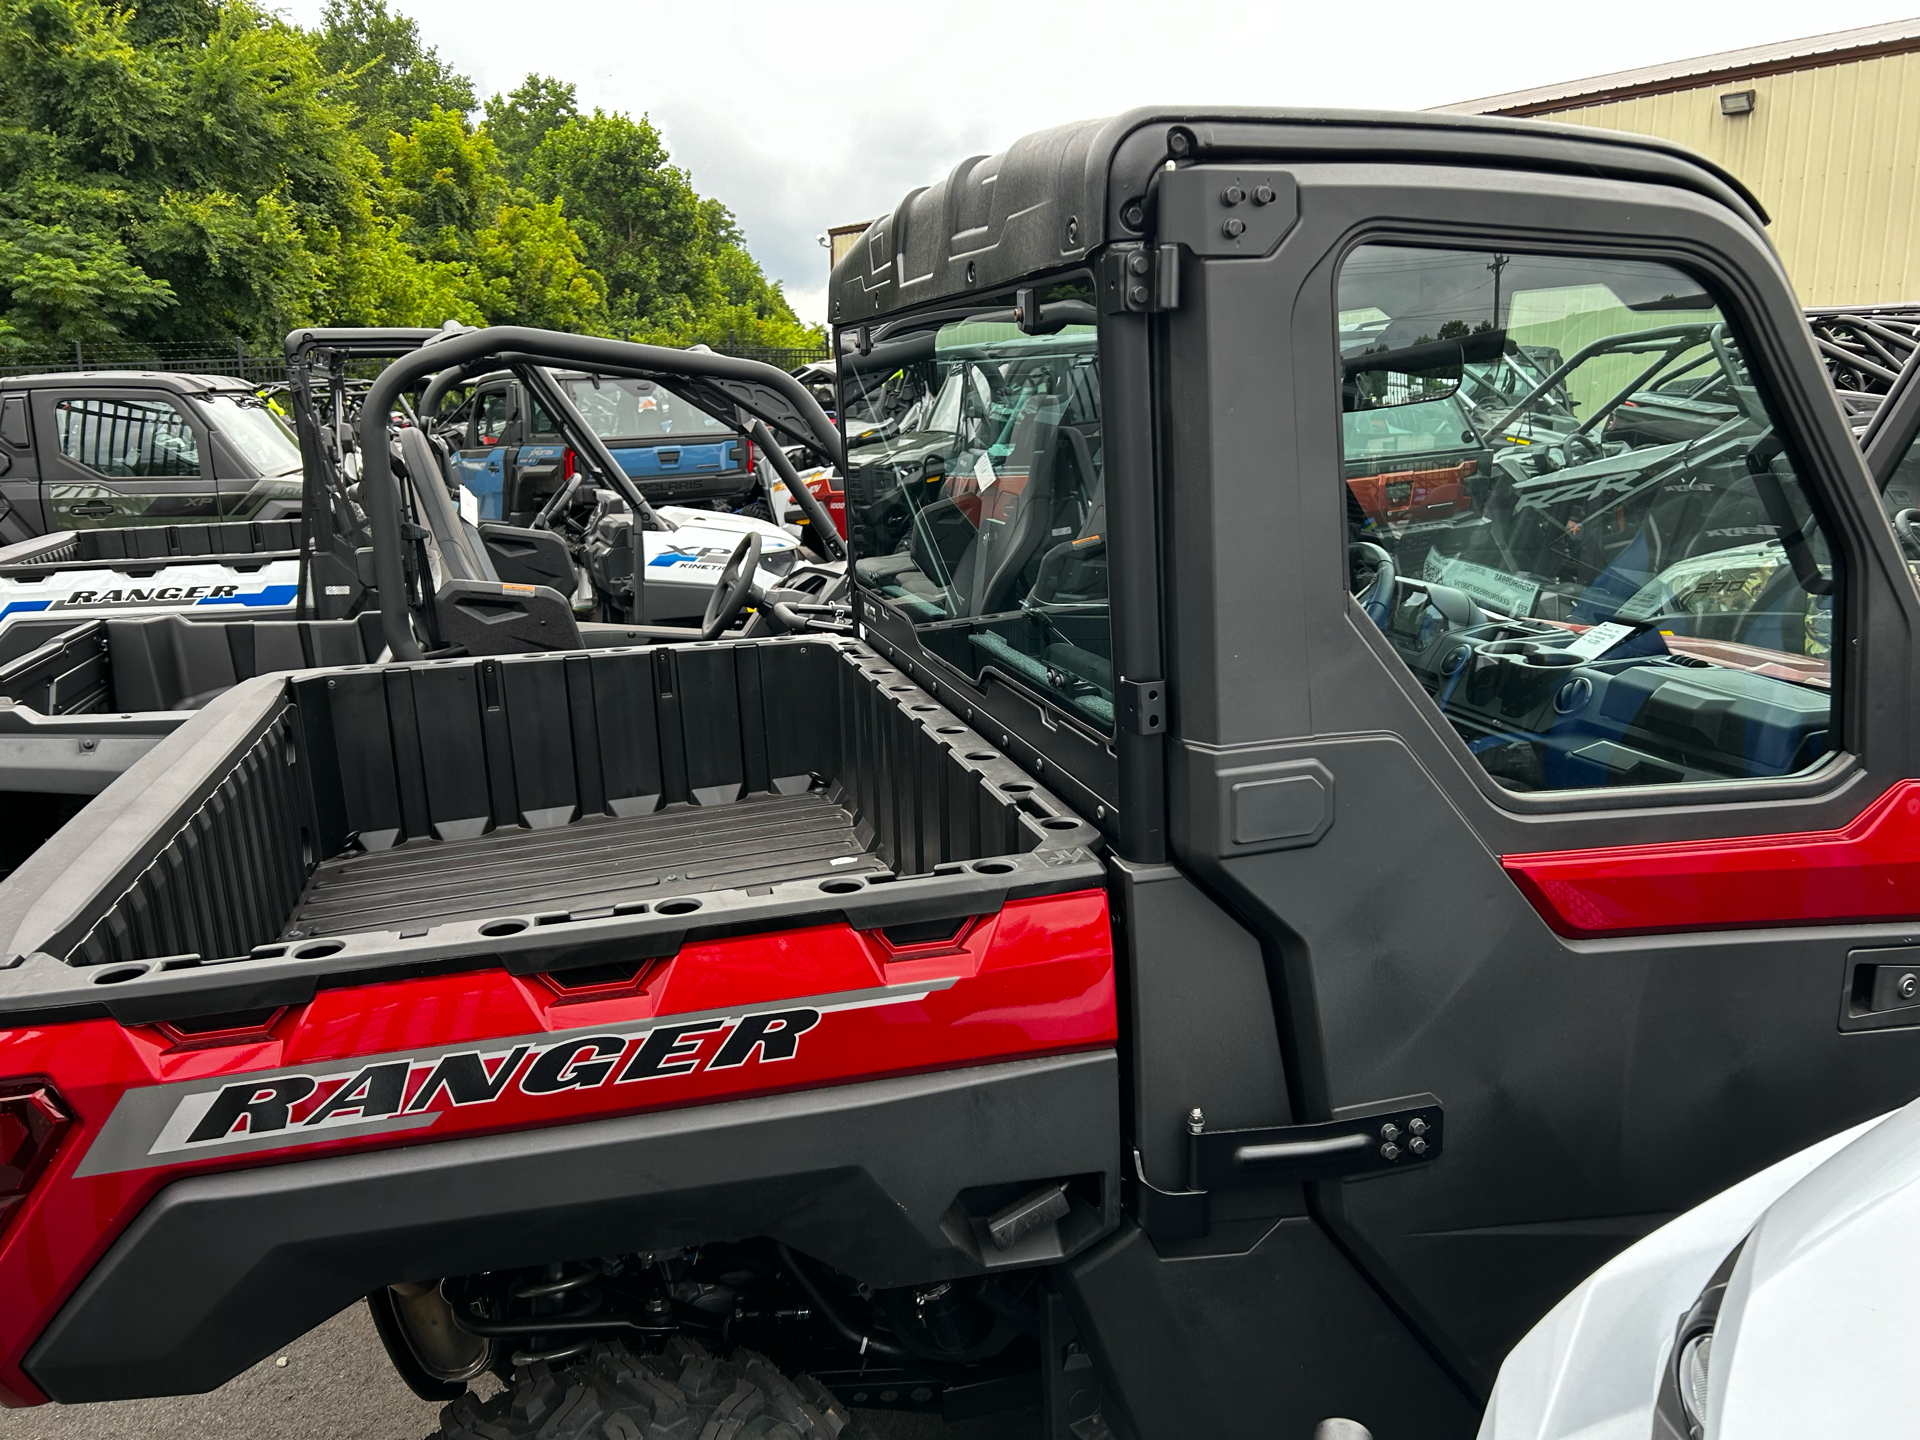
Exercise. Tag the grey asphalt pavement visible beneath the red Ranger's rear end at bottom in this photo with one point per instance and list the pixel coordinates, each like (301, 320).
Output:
(337, 1383)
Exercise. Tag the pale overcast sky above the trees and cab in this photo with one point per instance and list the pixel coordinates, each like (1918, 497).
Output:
(804, 116)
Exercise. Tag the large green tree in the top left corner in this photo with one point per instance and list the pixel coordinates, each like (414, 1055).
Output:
(166, 189)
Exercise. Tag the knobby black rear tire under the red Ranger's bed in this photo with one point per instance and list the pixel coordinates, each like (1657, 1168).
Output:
(681, 1395)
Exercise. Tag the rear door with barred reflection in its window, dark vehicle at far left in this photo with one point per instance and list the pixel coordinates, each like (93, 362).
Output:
(114, 456)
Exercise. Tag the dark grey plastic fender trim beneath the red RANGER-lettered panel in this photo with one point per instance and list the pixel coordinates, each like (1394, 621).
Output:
(218, 1272)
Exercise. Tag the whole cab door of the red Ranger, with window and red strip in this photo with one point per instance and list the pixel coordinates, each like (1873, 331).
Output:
(1550, 807)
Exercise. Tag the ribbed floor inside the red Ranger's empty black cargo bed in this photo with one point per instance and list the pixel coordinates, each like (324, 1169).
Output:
(594, 865)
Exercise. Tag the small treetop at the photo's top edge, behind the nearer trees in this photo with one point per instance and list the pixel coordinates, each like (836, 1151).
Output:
(383, 68)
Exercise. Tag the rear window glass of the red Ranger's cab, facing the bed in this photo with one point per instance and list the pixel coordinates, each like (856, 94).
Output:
(974, 492)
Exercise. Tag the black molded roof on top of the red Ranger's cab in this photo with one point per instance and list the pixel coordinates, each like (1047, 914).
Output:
(1053, 197)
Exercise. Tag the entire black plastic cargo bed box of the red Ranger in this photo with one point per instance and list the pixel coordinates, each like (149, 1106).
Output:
(537, 813)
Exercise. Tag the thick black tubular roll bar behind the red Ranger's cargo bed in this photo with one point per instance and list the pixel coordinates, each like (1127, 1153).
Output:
(763, 391)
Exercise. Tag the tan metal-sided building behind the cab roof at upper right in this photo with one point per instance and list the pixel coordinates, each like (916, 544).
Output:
(1825, 132)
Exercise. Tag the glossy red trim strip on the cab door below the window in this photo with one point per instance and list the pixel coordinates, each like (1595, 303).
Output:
(1869, 871)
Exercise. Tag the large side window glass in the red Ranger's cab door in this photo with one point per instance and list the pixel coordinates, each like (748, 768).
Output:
(1573, 519)
